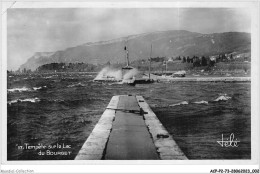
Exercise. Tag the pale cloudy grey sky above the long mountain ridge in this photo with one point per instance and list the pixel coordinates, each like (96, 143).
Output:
(50, 29)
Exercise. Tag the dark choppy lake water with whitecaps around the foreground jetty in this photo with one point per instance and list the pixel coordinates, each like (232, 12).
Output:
(62, 109)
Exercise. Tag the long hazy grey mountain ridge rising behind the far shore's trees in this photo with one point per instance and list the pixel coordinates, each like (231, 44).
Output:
(165, 44)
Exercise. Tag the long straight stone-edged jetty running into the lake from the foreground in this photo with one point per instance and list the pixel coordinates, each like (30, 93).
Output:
(129, 130)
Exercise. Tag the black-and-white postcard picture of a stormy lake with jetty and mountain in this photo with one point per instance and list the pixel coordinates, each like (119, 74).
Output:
(129, 83)
